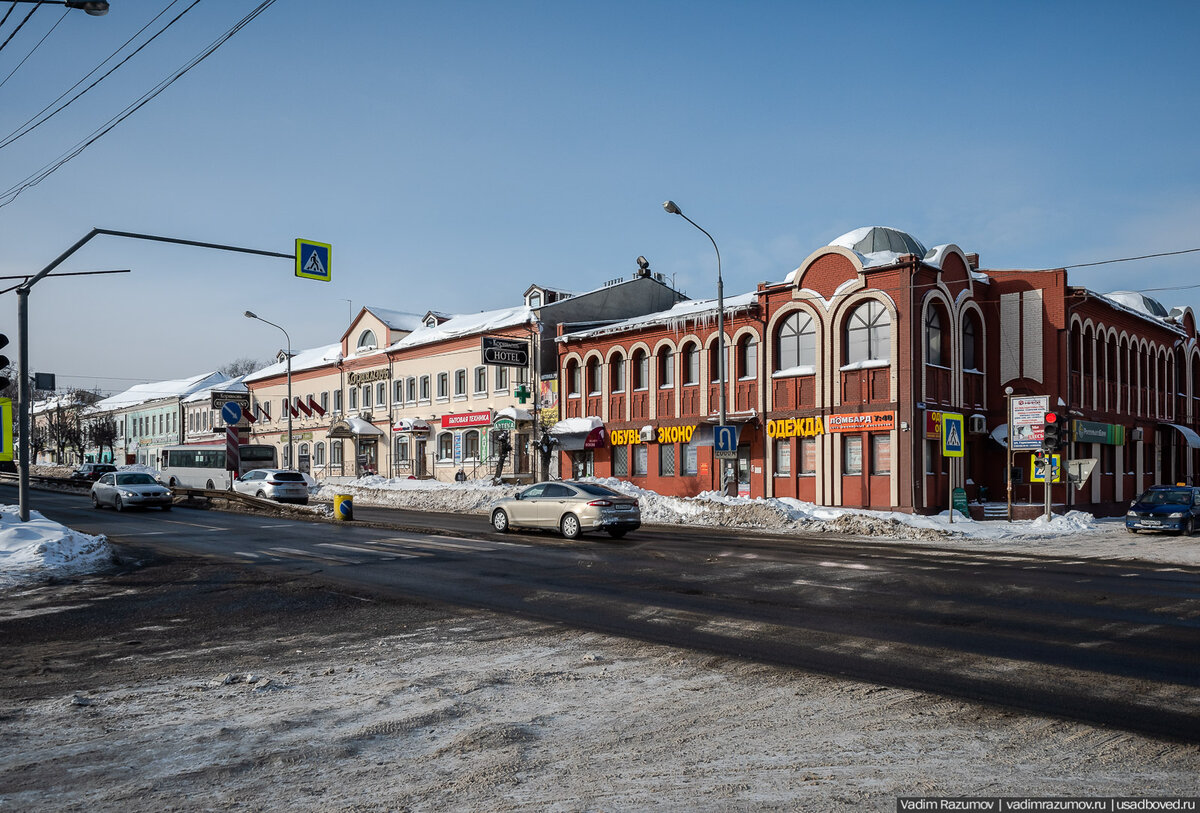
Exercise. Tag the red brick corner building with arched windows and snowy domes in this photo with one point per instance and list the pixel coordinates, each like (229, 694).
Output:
(838, 377)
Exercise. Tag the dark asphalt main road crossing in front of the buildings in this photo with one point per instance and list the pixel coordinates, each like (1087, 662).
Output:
(1112, 645)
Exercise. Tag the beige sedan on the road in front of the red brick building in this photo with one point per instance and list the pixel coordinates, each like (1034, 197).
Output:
(571, 507)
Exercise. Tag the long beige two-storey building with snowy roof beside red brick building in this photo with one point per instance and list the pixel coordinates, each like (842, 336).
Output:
(411, 395)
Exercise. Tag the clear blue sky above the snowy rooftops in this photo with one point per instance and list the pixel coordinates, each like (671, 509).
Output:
(455, 153)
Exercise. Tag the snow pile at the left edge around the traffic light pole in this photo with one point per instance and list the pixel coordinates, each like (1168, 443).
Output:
(44, 549)
